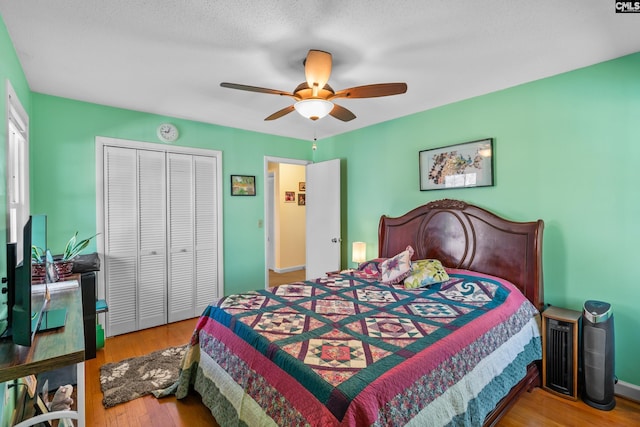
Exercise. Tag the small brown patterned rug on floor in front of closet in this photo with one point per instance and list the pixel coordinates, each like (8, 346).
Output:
(135, 377)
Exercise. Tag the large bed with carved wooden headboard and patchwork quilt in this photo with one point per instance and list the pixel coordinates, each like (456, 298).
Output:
(349, 350)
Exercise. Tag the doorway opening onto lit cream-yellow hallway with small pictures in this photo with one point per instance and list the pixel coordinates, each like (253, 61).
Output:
(285, 235)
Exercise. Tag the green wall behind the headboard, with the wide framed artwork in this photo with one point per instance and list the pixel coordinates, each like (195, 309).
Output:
(566, 151)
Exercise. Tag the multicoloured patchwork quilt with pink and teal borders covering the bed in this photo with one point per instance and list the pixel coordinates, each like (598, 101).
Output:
(346, 350)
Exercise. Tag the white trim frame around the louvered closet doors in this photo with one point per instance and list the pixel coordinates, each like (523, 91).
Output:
(100, 143)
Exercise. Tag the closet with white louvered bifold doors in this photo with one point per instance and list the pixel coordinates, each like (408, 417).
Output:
(162, 247)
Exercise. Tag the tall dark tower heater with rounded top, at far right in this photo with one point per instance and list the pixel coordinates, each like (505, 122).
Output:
(598, 355)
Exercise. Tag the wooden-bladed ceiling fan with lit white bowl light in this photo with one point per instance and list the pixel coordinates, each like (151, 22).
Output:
(314, 98)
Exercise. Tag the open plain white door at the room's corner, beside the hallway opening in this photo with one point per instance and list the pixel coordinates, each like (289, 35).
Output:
(323, 218)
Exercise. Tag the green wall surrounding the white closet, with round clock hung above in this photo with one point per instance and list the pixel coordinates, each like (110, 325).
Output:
(63, 174)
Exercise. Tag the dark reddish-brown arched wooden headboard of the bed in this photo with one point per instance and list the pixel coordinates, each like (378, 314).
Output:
(465, 236)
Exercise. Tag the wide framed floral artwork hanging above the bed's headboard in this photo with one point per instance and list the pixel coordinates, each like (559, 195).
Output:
(469, 164)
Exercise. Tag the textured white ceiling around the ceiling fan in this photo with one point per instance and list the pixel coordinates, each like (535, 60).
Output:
(169, 56)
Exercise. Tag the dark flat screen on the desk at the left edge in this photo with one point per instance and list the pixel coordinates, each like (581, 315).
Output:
(24, 308)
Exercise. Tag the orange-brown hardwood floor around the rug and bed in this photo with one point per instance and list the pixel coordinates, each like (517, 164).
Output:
(538, 408)
